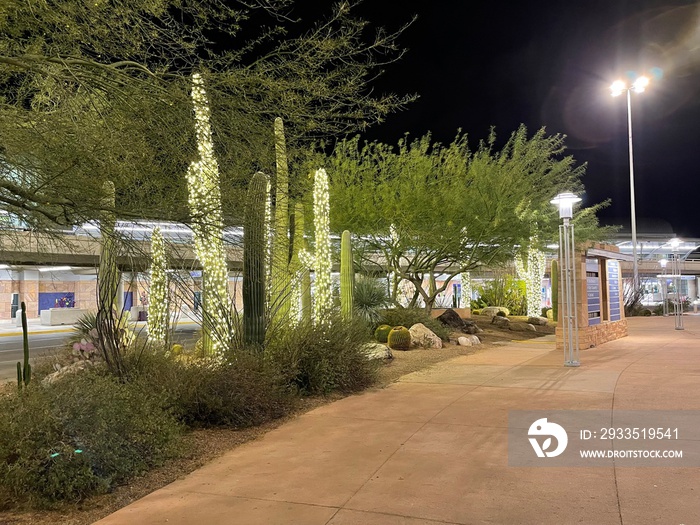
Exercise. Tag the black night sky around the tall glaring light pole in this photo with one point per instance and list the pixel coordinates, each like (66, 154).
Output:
(550, 63)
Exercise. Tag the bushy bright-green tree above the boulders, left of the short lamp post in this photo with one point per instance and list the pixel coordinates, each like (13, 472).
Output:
(424, 209)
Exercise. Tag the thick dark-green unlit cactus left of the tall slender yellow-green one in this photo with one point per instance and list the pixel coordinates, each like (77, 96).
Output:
(254, 246)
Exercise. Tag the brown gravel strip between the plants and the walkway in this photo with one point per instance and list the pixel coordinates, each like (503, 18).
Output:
(203, 445)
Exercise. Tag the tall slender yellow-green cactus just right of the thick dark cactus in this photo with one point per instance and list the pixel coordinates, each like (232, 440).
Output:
(280, 282)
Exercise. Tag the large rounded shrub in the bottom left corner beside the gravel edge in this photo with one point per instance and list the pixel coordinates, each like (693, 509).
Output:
(79, 437)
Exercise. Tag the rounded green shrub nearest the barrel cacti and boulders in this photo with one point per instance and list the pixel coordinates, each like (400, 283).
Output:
(321, 359)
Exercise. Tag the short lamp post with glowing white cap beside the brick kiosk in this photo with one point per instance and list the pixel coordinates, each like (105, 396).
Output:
(567, 262)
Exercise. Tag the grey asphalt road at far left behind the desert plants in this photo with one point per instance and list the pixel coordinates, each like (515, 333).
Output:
(41, 344)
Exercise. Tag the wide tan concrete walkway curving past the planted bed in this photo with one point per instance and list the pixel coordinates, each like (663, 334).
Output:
(432, 448)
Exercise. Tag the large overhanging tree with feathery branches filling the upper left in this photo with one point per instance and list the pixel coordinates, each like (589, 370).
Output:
(95, 91)
